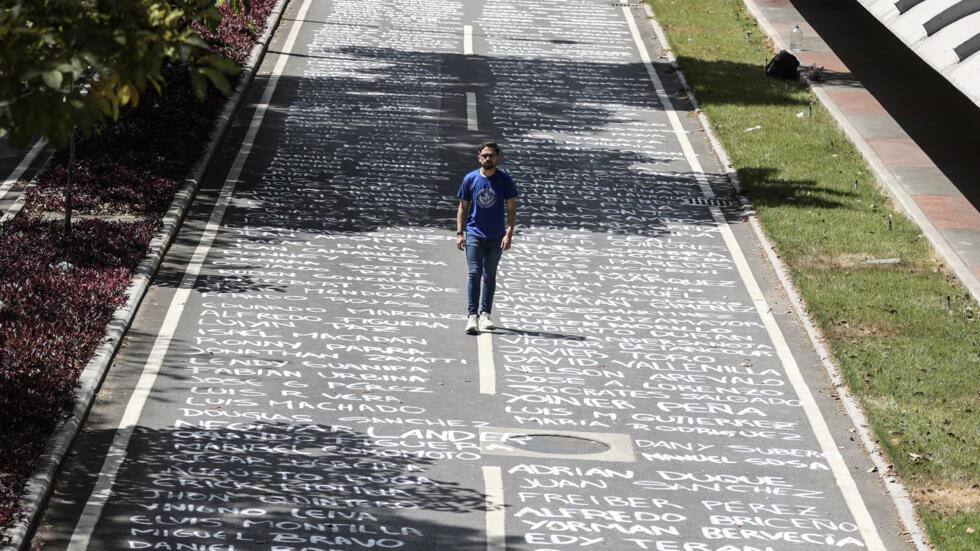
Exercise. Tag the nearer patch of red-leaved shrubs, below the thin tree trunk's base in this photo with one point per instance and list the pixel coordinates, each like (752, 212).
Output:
(57, 299)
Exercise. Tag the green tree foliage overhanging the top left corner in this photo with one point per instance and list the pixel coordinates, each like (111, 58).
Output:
(117, 47)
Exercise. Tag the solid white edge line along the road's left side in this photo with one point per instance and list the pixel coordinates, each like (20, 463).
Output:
(117, 452)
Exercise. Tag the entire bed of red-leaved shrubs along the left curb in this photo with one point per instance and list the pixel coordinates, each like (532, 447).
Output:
(56, 297)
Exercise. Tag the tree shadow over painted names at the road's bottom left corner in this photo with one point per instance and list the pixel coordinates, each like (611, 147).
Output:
(253, 484)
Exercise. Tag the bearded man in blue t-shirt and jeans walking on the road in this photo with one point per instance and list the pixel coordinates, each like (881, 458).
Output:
(484, 197)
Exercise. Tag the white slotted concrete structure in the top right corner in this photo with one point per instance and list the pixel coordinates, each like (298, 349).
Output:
(944, 33)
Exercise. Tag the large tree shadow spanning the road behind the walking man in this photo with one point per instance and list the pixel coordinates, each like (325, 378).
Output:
(385, 143)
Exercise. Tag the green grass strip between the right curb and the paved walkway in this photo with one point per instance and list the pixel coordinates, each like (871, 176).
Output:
(913, 362)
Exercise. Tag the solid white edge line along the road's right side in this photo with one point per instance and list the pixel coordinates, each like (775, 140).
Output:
(845, 482)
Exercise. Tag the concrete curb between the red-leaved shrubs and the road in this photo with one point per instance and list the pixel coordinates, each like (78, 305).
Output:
(39, 486)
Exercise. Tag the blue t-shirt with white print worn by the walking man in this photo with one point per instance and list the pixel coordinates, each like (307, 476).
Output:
(488, 198)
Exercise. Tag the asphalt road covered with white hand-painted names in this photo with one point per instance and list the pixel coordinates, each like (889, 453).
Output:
(298, 377)
